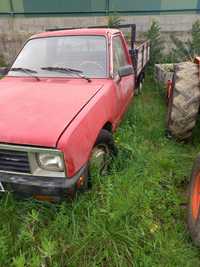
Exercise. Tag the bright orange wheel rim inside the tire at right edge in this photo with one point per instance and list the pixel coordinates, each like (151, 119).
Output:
(196, 197)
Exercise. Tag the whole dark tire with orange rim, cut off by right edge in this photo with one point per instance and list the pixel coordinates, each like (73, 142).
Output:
(194, 203)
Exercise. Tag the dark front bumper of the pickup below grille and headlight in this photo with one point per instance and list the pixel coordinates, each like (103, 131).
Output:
(27, 185)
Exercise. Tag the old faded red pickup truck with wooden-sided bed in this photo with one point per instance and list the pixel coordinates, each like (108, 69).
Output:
(60, 102)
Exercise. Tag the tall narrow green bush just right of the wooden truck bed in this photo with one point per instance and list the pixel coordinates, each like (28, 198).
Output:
(156, 45)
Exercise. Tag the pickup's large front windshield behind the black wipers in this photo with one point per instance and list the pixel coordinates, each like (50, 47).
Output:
(84, 53)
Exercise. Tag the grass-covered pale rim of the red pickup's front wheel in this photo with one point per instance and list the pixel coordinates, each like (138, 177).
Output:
(99, 160)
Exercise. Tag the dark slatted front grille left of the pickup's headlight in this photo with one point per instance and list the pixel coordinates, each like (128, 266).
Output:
(14, 161)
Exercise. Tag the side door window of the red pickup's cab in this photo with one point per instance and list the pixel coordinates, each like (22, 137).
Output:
(119, 56)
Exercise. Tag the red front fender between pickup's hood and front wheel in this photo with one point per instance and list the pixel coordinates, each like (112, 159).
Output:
(79, 138)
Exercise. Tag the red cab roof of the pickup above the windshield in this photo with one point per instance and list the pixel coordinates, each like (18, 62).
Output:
(83, 31)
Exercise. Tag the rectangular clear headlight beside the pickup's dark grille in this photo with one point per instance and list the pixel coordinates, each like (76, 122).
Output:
(50, 161)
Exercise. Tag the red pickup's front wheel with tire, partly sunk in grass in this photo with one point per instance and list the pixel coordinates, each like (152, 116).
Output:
(103, 151)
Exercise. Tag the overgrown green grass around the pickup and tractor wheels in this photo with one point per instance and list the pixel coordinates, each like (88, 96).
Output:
(136, 216)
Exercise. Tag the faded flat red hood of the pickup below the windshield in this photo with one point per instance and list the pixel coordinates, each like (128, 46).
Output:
(36, 112)
